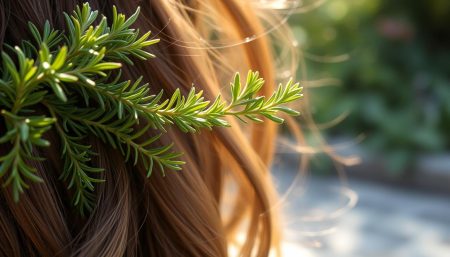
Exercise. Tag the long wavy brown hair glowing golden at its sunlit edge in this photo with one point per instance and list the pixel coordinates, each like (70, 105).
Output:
(182, 213)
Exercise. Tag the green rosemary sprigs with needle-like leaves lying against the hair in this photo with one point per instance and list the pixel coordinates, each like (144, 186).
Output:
(69, 74)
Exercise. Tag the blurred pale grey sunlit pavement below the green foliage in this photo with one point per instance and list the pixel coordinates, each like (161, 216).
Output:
(387, 221)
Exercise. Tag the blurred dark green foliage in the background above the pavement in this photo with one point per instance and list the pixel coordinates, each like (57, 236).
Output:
(396, 81)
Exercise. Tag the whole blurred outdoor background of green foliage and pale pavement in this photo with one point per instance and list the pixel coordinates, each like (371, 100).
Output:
(385, 68)
